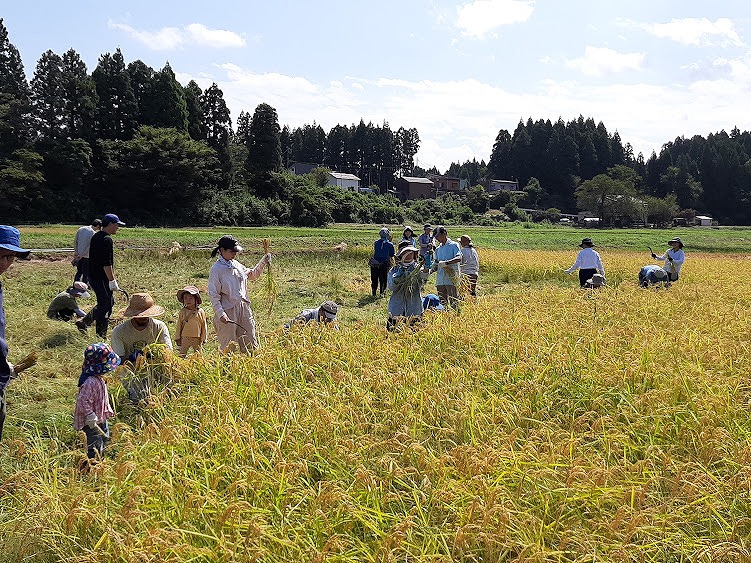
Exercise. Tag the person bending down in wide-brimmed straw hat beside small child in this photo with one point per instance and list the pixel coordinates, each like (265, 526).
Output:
(141, 329)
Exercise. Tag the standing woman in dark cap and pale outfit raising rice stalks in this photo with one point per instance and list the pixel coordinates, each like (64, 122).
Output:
(228, 291)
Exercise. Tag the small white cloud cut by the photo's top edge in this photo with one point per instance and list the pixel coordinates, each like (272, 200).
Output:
(480, 17)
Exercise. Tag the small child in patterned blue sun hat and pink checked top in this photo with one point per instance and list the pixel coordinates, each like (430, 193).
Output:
(93, 408)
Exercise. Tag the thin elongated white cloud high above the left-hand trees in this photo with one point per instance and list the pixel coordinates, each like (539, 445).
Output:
(170, 38)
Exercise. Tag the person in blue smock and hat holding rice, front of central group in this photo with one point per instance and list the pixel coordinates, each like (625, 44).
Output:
(405, 302)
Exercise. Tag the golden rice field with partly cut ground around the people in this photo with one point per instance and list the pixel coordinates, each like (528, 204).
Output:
(540, 423)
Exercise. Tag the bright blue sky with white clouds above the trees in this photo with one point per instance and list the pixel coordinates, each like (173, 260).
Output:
(458, 71)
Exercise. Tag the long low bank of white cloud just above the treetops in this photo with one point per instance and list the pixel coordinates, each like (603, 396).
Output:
(459, 120)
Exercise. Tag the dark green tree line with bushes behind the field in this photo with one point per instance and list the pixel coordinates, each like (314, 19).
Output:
(130, 138)
